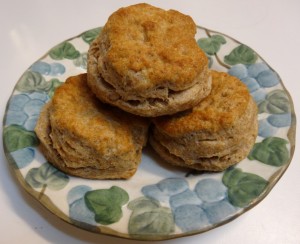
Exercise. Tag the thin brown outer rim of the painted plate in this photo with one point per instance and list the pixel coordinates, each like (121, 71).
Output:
(101, 229)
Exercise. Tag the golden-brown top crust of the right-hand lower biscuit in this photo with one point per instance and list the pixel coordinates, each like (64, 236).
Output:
(227, 102)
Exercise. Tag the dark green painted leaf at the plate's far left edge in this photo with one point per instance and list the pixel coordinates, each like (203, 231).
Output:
(15, 137)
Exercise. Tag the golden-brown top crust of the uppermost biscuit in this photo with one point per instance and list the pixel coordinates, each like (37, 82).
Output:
(157, 47)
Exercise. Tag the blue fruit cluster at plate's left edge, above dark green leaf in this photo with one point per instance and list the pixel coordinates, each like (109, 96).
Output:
(23, 109)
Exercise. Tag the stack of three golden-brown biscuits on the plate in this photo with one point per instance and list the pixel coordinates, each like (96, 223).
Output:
(147, 75)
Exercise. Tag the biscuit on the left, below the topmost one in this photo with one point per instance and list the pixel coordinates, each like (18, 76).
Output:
(83, 137)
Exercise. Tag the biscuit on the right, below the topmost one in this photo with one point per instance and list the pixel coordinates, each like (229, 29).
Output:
(217, 133)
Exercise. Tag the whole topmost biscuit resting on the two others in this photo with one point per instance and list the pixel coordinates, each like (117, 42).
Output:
(146, 61)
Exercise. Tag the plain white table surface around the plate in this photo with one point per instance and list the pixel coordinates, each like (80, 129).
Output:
(30, 28)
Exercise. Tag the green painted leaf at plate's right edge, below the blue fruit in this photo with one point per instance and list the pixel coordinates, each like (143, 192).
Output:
(271, 151)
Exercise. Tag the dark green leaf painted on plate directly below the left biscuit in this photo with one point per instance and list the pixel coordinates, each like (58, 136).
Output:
(106, 204)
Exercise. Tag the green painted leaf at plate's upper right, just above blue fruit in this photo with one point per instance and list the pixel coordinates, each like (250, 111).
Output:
(241, 55)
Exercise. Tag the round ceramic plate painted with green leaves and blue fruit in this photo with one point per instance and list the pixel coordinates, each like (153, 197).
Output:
(159, 201)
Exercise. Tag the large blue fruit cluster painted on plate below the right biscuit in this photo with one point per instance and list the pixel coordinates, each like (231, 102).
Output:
(193, 209)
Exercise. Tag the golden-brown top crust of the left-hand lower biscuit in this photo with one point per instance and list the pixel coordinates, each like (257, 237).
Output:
(75, 110)
